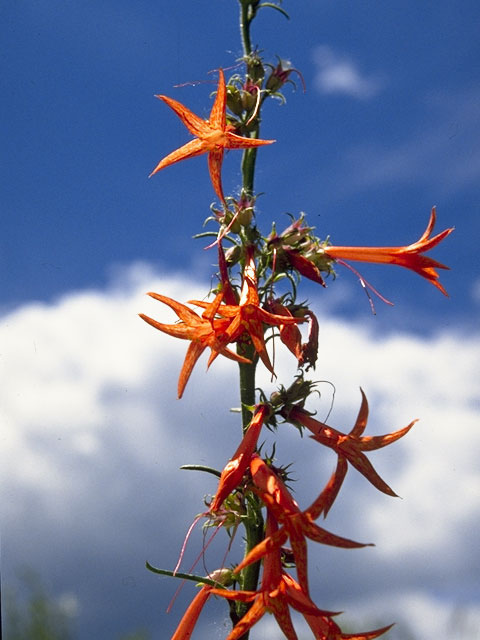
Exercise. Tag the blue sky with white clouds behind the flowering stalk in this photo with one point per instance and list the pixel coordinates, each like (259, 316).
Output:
(389, 126)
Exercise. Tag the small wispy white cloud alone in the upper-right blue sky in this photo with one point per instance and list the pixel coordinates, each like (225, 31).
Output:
(337, 73)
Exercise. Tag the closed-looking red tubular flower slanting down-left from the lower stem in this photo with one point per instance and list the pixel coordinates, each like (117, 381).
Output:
(234, 470)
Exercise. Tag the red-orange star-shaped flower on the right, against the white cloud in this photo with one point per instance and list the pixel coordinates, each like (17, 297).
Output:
(350, 446)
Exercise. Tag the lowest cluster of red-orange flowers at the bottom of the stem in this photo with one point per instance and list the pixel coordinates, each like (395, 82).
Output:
(286, 521)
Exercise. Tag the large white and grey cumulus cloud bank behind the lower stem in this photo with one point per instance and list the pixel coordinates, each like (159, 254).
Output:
(93, 436)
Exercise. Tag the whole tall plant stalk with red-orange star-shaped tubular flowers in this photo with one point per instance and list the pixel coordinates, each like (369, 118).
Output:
(253, 491)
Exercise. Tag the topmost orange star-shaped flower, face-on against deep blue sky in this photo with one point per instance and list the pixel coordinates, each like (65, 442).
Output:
(212, 136)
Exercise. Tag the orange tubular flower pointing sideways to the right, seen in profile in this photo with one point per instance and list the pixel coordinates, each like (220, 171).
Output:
(410, 256)
